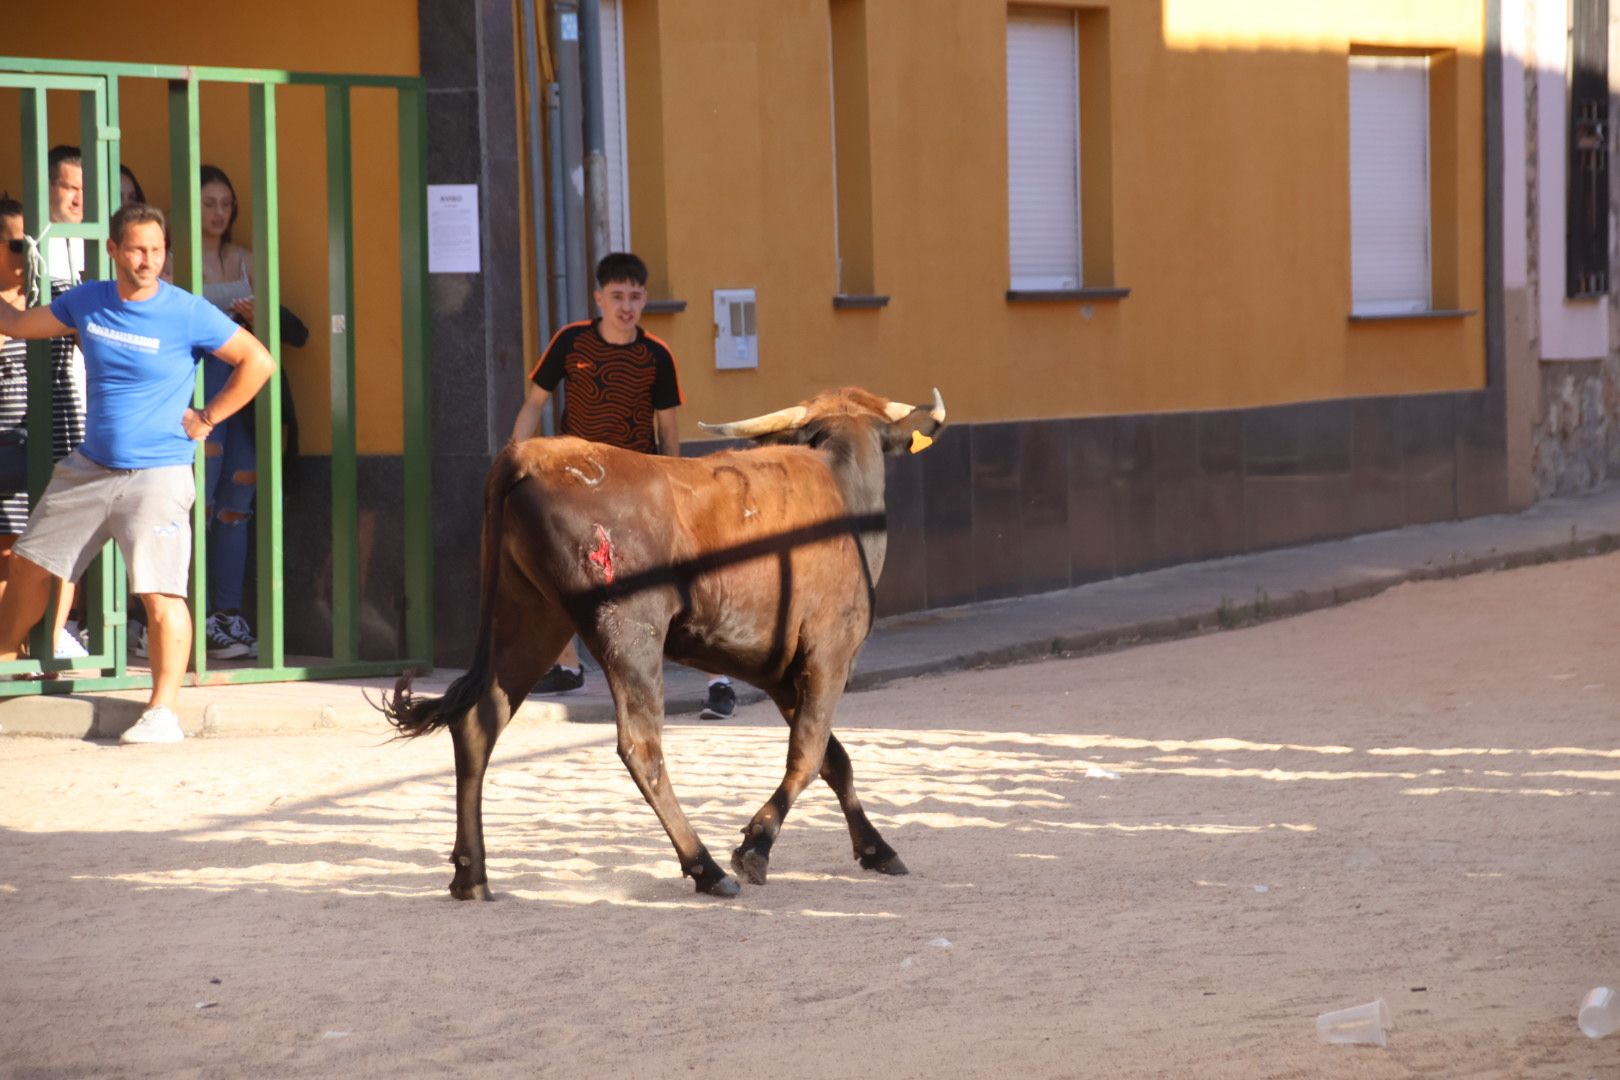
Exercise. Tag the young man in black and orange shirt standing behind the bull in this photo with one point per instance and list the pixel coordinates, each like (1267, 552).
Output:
(621, 389)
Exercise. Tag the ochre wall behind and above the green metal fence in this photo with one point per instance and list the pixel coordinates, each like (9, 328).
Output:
(356, 38)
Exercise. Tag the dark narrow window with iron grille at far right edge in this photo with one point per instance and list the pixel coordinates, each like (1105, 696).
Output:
(1588, 185)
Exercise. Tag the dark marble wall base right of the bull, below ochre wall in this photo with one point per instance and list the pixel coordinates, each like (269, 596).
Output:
(1012, 509)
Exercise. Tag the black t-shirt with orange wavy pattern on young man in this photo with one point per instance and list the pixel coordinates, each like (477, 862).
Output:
(612, 391)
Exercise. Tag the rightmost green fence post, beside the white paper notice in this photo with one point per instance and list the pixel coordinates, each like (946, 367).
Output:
(414, 338)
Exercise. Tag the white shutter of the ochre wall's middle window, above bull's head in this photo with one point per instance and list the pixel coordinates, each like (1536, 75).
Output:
(1044, 150)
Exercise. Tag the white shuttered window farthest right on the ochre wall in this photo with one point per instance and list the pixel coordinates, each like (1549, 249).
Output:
(1389, 185)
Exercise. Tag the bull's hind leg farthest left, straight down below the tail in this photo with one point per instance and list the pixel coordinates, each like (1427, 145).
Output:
(521, 658)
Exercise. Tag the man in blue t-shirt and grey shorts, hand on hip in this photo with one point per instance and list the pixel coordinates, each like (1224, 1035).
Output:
(132, 477)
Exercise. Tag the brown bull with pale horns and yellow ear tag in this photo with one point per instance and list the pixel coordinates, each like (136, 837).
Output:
(761, 564)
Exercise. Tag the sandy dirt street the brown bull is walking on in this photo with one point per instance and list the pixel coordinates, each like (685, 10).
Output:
(1162, 862)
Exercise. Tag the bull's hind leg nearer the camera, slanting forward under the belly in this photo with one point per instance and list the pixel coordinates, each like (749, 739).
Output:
(639, 704)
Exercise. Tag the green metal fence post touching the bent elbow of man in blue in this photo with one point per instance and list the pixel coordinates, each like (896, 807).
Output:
(268, 308)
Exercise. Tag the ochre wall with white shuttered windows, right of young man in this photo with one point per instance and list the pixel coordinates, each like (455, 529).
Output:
(1229, 158)
